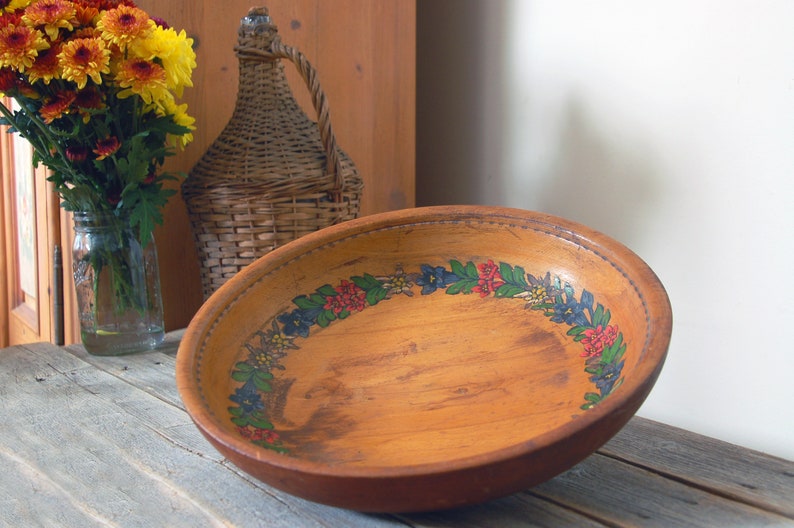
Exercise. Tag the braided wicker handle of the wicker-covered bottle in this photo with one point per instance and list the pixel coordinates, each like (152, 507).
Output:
(278, 50)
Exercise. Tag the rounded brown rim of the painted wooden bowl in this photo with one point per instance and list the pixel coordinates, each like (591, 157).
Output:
(620, 406)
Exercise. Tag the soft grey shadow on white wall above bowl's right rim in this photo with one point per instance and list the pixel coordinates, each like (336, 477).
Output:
(595, 180)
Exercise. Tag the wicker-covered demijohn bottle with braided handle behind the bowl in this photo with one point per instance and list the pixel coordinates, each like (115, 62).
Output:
(272, 174)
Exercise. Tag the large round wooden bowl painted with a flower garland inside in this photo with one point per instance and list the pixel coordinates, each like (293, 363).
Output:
(427, 358)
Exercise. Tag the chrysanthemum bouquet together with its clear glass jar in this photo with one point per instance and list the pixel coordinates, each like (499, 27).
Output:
(96, 84)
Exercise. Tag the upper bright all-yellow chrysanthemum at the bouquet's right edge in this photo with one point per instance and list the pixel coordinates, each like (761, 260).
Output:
(174, 51)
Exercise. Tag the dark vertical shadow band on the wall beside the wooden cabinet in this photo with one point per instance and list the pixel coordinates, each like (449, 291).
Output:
(460, 54)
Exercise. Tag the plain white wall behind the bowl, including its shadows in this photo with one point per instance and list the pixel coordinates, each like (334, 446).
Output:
(666, 125)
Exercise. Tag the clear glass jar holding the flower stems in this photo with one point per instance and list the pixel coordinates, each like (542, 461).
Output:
(117, 282)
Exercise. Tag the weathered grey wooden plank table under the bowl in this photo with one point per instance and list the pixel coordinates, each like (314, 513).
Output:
(91, 441)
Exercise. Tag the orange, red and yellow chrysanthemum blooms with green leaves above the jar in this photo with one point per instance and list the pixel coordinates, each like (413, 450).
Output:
(96, 84)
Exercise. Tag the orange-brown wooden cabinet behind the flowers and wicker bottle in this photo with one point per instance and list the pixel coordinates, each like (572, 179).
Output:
(365, 54)
